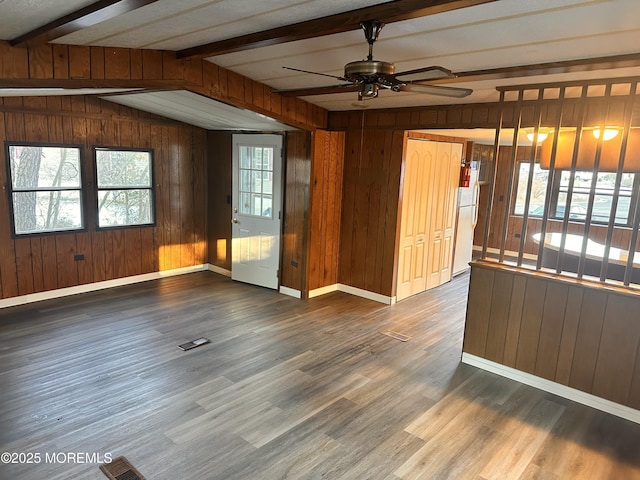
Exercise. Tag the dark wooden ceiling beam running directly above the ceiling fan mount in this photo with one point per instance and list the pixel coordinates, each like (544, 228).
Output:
(390, 12)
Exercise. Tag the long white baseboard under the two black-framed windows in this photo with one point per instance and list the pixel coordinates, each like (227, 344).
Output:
(92, 287)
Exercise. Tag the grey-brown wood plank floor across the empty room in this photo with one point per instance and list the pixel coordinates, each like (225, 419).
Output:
(286, 389)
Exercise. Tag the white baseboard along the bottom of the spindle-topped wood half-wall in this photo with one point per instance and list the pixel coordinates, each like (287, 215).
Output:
(578, 396)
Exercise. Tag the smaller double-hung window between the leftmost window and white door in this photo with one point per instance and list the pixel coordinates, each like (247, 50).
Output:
(124, 180)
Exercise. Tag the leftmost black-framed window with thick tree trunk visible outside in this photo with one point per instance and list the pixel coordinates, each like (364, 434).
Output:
(45, 188)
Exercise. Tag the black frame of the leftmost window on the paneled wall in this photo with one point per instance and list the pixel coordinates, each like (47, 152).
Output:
(81, 189)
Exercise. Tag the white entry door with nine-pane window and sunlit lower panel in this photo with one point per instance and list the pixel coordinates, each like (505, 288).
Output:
(256, 206)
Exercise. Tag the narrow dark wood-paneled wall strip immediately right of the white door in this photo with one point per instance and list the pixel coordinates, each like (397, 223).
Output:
(296, 211)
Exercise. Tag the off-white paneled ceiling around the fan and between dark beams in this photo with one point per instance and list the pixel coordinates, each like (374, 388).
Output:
(498, 34)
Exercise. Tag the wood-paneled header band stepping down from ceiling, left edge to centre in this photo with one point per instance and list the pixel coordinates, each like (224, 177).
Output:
(71, 66)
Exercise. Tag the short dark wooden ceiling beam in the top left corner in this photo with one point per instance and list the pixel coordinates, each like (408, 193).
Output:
(84, 18)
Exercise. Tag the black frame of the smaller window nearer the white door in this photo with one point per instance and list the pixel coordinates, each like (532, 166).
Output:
(98, 189)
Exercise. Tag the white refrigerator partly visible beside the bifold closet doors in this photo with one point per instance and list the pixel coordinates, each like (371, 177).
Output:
(466, 223)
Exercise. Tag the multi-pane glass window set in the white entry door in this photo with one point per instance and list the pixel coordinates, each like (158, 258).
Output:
(256, 181)
